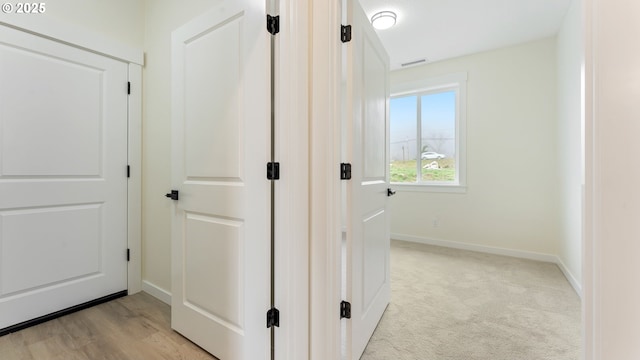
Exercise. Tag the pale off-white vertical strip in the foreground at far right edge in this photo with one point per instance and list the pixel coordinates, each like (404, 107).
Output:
(612, 248)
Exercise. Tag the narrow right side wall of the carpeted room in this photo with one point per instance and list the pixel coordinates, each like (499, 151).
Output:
(570, 135)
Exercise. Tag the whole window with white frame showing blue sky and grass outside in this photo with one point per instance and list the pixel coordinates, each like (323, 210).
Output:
(427, 133)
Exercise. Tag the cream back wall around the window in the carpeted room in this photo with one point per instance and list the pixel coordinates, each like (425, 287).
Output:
(511, 200)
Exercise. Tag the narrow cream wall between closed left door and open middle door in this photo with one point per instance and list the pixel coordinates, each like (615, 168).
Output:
(162, 17)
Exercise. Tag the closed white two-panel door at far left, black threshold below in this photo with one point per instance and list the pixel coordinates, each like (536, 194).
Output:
(63, 185)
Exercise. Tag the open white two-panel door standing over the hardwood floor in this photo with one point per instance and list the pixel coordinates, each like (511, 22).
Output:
(221, 228)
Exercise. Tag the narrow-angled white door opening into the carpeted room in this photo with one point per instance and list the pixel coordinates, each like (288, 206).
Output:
(368, 243)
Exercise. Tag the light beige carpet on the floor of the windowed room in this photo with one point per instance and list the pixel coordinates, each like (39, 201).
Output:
(449, 304)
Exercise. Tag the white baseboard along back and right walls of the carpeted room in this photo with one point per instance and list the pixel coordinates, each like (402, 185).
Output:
(497, 251)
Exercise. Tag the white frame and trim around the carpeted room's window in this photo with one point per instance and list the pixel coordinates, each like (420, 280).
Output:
(457, 82)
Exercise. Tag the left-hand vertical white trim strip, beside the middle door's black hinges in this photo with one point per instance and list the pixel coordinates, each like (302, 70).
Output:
(292, 201)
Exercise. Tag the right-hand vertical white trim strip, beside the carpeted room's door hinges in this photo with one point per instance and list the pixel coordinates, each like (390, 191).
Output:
(325, 235)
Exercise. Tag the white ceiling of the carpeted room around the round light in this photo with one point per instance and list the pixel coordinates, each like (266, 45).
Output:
(442, 29)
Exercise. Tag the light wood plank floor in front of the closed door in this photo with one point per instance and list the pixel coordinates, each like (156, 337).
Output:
(132, 327)
